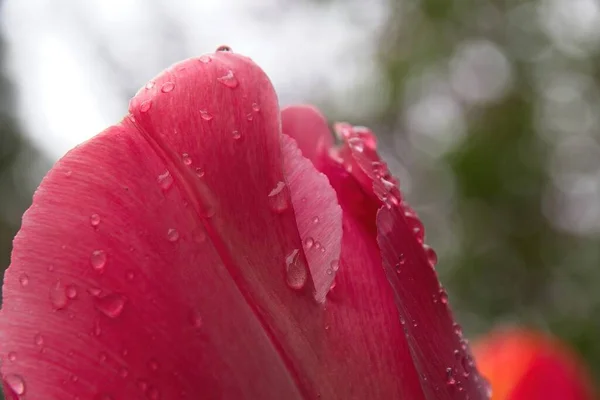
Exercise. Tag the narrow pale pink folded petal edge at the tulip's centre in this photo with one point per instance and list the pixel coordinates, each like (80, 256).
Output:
(318, 215)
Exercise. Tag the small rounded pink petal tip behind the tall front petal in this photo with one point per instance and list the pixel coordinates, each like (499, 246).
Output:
(309, 128)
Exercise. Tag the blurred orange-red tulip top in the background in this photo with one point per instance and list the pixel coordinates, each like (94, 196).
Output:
(526, 365)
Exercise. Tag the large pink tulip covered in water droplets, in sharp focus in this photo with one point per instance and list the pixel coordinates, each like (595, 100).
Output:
(211, 246)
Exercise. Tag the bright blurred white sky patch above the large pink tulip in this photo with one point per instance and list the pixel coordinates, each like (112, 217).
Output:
(68, 91)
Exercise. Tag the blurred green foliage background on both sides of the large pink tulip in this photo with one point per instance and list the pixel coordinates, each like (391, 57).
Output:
(488, 112)
